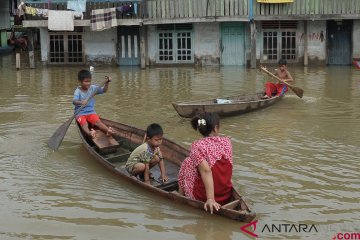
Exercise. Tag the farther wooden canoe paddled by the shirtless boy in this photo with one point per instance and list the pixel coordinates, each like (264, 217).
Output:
(228, 106)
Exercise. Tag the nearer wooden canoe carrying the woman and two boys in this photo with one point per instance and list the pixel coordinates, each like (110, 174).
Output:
(128, 138)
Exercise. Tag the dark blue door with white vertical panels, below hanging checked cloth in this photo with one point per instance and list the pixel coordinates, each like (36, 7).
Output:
(129, 46)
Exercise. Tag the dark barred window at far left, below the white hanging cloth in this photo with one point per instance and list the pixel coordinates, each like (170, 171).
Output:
(66, 48)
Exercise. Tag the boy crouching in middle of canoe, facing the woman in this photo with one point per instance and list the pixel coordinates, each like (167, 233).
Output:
(147, 155)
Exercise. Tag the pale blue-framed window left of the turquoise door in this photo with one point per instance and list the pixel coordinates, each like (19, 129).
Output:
(175, 44)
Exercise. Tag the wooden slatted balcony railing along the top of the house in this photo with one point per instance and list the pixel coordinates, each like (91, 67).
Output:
(190, 9)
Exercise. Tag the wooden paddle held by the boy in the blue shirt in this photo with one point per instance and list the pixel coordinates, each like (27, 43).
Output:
(56, 139)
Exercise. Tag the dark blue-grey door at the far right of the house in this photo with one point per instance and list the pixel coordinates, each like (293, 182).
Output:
(339, 42)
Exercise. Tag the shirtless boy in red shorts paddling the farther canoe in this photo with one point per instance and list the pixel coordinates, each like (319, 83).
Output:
(277, 89)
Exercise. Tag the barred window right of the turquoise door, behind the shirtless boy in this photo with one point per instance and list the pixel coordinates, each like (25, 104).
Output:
(279, 41)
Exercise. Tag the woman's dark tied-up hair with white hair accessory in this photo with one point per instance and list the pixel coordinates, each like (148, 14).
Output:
(205, 122)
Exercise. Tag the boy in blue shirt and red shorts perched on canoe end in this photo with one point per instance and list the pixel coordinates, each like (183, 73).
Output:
(87, 115)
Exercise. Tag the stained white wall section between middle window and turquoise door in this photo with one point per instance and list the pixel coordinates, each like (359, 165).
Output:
(207, 43)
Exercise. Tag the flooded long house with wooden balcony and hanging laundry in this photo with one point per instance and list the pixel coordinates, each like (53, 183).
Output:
(195, 32)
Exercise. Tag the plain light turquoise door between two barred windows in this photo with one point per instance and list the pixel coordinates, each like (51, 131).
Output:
(232, 44)
